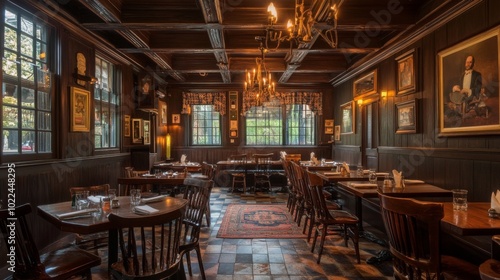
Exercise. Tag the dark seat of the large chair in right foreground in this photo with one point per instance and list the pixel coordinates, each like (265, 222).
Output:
(455, 268)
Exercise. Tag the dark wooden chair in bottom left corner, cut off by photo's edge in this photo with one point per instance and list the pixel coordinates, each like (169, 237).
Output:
(59, 264)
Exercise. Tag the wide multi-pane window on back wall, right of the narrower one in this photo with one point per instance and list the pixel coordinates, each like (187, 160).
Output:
(296, 125)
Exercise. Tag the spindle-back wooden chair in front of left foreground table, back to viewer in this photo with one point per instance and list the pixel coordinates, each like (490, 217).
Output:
(149, 245)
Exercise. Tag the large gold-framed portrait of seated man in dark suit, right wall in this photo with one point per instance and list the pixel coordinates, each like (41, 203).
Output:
(468, 89)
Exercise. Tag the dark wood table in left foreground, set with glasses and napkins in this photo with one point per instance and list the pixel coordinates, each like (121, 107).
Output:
(90, 224)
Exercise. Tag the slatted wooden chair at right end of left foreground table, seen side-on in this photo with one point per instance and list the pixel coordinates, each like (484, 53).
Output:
(197, 192)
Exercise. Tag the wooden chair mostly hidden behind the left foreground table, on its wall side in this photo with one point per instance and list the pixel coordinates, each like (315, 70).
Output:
(99, 239)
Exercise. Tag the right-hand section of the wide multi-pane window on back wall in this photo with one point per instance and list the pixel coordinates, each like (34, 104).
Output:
(300, 125)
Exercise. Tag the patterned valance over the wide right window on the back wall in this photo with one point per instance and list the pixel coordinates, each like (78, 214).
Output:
(313, 99)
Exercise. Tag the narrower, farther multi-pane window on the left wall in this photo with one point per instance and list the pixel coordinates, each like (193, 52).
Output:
(106, 101)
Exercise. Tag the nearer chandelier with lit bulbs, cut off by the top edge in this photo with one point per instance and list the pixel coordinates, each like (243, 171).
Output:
(304, 26)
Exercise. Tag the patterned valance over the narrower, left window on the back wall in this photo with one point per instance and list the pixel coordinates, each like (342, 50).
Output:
(218, 99)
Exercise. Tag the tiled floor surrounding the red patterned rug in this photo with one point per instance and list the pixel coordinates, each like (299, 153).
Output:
(275, 258)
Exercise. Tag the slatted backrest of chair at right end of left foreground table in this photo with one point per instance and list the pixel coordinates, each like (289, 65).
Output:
(197, 192)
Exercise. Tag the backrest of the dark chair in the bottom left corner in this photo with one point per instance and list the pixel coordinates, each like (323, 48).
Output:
(26, 253)
